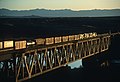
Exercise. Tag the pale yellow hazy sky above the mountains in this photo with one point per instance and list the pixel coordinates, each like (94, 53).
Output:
(60, 4)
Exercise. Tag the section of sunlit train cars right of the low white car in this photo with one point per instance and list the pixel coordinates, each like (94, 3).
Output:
(55, 40)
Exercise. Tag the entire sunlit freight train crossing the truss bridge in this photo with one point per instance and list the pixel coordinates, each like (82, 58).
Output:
(6, 45)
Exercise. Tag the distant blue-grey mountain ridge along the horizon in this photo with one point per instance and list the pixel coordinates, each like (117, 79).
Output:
(59, 13)
